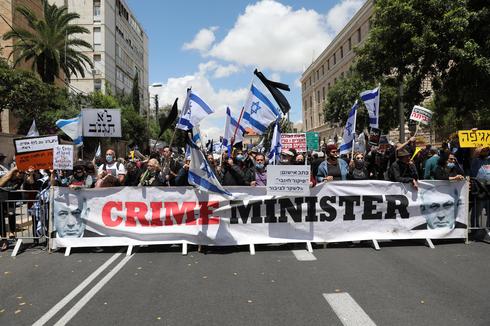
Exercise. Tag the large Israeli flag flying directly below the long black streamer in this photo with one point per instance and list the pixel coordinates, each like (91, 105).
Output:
(259, 112)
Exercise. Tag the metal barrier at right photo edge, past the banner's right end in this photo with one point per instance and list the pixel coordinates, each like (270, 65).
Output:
(480, 210)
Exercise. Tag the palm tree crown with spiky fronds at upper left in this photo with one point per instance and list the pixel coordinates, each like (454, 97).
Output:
(49, 44)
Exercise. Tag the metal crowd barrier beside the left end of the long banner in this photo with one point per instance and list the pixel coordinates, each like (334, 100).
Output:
(23, 216)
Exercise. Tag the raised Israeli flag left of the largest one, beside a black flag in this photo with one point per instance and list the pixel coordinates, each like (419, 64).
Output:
(193, 111)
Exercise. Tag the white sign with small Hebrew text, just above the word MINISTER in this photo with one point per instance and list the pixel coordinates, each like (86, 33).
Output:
(283, 180)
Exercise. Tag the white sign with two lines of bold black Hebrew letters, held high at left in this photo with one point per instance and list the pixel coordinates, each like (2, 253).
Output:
(101, 122)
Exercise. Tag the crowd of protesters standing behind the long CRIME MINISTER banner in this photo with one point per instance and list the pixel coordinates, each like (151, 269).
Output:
(388, 161)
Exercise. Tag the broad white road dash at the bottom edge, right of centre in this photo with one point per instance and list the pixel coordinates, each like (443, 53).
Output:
(347, 309)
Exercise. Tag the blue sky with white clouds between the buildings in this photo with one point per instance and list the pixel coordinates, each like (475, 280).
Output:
(215, 45)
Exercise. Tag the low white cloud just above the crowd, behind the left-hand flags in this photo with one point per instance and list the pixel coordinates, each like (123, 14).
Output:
(212, 125)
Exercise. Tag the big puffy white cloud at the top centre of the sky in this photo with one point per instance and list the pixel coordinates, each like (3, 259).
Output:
(274, 36)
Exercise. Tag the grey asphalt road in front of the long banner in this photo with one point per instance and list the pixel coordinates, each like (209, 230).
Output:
(405, 283)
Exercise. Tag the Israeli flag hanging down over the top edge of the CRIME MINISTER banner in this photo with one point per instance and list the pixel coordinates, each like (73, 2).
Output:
(201, 175)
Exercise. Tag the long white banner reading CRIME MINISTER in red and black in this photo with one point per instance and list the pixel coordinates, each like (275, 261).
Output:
(334, 212)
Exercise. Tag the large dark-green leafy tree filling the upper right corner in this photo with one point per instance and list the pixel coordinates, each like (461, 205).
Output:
(442, 43)
